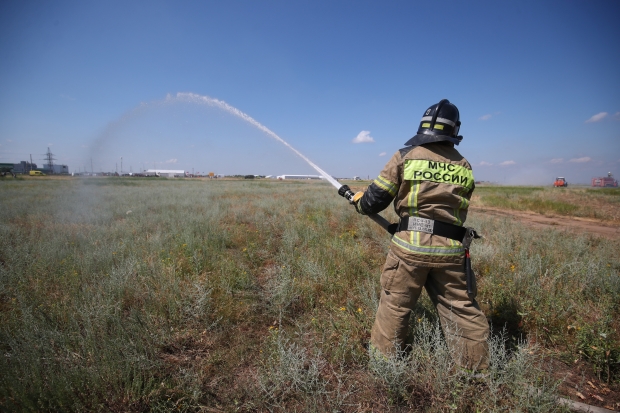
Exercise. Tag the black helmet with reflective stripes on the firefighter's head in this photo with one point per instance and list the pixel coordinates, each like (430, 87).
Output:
(440, 122)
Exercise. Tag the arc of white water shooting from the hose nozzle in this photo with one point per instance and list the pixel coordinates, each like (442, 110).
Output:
(195, 98)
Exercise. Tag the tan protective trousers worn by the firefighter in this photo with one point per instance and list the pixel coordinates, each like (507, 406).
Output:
(464, 325)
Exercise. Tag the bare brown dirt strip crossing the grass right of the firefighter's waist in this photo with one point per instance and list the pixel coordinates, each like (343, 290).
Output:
(581, 225)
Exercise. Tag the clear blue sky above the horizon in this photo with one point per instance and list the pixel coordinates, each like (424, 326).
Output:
(537, 84)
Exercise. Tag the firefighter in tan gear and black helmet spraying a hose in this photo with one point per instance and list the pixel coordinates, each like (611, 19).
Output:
(431, 184)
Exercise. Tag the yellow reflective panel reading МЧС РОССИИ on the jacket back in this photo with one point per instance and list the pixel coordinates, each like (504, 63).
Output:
(444, 173)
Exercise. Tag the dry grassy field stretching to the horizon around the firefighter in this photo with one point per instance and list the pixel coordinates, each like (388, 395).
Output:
(120, 294)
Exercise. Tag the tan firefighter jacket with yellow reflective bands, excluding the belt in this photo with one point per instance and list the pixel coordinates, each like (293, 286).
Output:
(431, 181)
